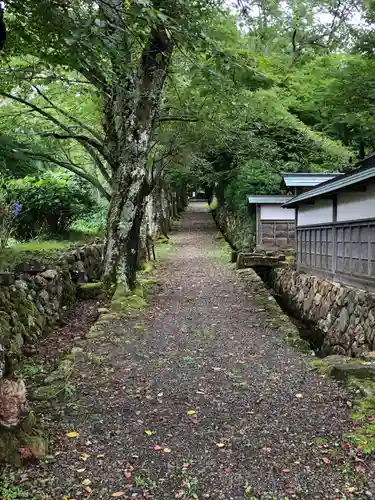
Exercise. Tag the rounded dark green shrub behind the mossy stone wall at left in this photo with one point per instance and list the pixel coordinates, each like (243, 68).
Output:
(50, 204)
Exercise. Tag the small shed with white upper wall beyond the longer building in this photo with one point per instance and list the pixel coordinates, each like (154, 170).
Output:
(275, 226)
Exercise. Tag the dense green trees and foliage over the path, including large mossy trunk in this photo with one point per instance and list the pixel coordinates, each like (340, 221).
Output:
(111, 111)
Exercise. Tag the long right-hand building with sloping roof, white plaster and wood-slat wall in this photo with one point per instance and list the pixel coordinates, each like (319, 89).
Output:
(335, 225)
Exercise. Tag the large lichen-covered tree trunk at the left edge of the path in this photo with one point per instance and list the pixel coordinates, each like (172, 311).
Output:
(134, 106)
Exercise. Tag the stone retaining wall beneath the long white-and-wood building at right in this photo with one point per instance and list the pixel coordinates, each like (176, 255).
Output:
(345, 316)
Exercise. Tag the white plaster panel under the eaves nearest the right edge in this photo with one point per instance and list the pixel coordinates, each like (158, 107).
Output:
(356, 205)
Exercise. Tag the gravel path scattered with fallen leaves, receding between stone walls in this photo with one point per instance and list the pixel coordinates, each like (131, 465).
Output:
(265, 426)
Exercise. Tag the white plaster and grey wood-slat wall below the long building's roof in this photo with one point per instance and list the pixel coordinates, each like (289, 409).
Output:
(340, 246)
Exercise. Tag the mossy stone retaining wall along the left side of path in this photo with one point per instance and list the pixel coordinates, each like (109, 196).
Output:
(35, 295)
